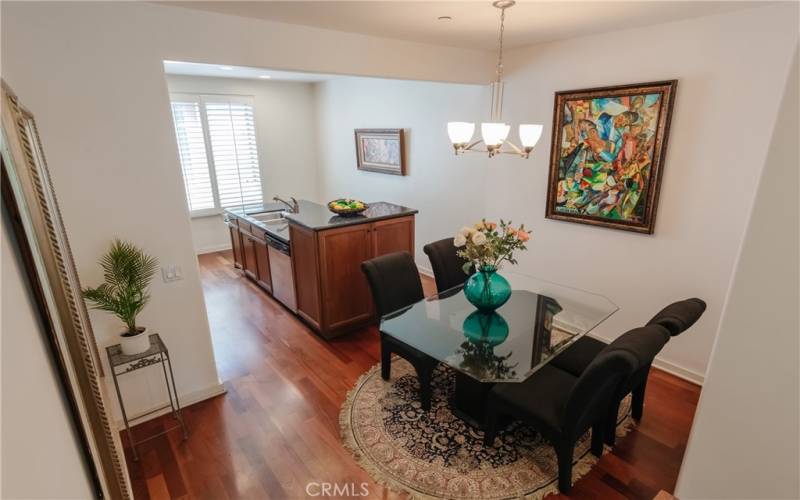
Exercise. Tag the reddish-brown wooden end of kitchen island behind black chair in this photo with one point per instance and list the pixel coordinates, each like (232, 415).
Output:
(332, 291)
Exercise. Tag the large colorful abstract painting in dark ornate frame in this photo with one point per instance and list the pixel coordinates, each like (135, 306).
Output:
(607, 154)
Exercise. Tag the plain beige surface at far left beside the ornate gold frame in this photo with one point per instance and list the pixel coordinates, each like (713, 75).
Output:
(41, 454)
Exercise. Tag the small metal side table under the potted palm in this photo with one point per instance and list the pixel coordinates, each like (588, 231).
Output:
(122, 364)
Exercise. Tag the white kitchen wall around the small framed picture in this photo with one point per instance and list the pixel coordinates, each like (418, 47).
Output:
(447, 190)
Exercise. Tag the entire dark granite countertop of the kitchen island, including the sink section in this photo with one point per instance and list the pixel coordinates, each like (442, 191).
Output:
(316, 217)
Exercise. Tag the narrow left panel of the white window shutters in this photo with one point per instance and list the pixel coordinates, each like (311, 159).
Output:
(192, 151)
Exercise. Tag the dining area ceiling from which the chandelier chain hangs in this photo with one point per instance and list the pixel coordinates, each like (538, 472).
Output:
(474, 24)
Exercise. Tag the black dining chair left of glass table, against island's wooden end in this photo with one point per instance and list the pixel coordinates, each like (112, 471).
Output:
(395, 284)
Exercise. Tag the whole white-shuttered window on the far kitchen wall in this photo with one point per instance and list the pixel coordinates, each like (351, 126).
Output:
(217, 146)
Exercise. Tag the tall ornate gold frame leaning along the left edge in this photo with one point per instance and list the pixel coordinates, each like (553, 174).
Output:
(30, 201)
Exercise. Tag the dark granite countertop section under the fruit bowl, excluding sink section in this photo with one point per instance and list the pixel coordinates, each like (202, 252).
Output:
(317, 217)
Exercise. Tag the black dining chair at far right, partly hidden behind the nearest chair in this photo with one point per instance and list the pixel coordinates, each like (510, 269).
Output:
(675, 319)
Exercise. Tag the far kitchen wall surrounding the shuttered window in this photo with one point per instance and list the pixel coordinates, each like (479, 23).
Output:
(285, 133)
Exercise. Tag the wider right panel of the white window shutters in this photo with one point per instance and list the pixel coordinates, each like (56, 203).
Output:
(231, 128)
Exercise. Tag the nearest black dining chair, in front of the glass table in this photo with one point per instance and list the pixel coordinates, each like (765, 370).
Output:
(563, 407)
